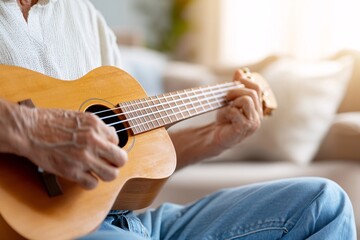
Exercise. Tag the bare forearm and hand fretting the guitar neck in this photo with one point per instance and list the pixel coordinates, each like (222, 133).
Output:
(240, 119)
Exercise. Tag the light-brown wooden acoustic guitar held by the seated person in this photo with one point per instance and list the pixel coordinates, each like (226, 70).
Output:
(37, 205)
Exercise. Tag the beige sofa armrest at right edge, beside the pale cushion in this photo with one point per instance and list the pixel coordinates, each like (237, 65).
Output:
(343, 139)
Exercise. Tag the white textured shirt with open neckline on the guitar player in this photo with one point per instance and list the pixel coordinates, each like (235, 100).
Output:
(61, 38)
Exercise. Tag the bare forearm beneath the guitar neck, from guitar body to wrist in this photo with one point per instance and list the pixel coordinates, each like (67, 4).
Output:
(195, 144)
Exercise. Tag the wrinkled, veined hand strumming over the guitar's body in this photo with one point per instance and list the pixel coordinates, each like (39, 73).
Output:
(76, 146)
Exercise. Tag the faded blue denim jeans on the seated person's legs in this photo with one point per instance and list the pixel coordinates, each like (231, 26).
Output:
(303, 208)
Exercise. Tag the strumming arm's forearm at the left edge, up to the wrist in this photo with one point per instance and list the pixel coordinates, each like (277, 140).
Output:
(10, 139)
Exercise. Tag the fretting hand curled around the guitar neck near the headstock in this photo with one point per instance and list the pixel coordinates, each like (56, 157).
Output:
(242, 117)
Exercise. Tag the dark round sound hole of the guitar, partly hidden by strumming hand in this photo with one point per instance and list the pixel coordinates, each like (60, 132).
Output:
(102, 111)
